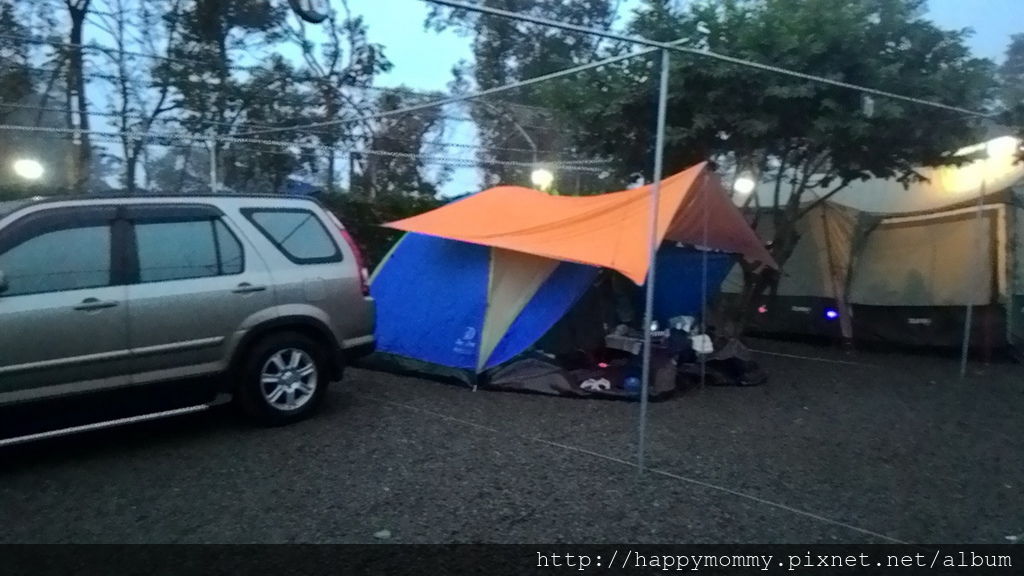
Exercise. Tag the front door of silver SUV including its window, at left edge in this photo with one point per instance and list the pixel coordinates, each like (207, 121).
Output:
(63, 316)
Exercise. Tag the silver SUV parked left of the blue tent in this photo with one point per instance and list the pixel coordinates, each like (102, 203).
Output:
(269, 295)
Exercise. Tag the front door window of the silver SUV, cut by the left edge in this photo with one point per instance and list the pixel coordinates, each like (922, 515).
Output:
(69, 259)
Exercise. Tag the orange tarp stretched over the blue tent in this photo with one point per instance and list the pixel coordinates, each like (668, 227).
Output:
(611, 231)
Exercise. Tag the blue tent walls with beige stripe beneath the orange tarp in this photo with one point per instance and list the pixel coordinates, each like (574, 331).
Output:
(475, 308)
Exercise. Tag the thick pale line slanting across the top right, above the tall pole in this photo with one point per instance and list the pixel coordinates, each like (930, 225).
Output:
(702, 53)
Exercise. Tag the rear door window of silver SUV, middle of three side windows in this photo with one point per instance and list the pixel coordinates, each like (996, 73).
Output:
(186, 250)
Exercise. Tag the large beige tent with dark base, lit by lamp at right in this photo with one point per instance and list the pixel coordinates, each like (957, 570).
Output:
(881, 263)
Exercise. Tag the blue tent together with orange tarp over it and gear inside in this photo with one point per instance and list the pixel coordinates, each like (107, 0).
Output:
(515, 290)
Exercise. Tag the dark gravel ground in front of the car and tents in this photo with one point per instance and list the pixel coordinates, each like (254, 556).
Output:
(861, 448)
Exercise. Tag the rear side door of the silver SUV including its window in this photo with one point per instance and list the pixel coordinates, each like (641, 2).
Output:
(195, 283)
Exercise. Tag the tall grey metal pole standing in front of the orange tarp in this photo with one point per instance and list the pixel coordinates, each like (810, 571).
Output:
(649, 317)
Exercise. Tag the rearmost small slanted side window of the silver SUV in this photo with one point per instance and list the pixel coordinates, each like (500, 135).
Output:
(297, 233)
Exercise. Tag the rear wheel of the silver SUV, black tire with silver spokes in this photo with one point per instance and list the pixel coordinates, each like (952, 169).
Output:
(283, 380)
